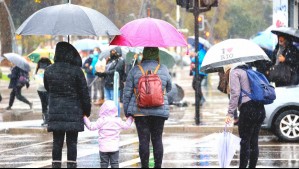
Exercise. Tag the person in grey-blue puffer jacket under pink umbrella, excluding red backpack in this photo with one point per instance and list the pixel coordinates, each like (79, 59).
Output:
(149, 121)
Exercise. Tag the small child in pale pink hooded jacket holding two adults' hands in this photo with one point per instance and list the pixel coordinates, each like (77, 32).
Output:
(109, 127)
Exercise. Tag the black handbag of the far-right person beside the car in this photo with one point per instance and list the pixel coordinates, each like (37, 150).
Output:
(280, 73)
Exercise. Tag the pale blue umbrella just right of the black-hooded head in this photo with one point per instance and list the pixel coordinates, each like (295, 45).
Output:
(86, 44)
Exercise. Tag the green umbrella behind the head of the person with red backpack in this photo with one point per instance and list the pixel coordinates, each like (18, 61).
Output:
(166, 57)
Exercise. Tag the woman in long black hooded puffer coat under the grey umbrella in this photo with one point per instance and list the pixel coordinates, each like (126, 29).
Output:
(69, 101)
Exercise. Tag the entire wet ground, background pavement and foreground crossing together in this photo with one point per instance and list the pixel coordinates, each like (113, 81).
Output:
(24, 143)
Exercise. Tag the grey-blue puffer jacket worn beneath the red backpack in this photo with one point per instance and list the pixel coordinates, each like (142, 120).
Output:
(130, 105)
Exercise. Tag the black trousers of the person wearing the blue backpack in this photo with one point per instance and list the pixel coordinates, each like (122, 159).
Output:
(252, 115)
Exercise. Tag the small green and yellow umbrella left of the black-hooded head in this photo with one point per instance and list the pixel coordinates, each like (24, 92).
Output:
(36, 55)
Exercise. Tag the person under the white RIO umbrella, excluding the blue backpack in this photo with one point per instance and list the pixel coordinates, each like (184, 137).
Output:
(252, 115)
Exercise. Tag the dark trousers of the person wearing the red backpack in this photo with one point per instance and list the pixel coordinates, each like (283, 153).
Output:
(150, 128)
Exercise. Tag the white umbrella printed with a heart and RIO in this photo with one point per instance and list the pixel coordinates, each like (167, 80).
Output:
(231, 51)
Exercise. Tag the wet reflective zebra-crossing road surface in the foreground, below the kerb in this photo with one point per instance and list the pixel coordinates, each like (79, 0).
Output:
(181, 150)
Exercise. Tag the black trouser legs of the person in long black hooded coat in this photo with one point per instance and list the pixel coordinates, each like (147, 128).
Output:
(71, 142)
